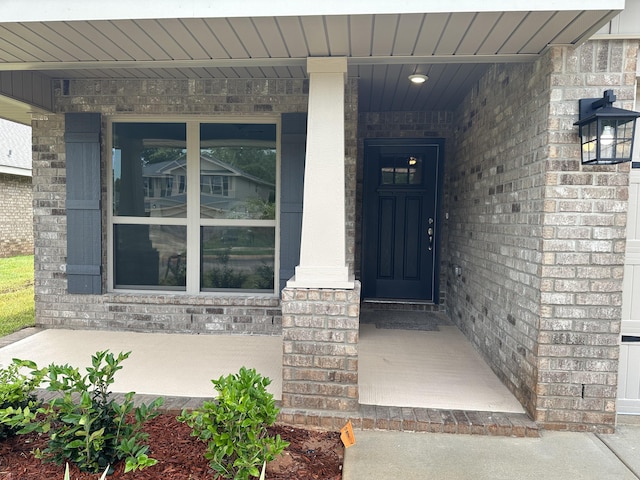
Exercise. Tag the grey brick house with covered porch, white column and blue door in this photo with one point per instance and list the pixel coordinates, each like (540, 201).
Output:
(464, 195)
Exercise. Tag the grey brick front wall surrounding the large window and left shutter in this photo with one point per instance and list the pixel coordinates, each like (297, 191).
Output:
(155, 311)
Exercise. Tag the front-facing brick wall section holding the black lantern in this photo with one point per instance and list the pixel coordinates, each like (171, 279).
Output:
(584, 236)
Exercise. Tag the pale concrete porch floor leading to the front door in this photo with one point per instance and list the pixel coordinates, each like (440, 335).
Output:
(428, 369)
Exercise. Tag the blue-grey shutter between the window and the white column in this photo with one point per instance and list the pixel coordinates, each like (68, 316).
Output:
(292, 154)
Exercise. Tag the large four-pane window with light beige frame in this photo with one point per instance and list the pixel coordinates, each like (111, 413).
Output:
(193, 206)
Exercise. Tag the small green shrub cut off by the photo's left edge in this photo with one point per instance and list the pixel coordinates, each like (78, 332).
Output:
(17, 389)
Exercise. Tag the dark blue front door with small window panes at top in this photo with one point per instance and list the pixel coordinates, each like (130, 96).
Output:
(400, 219)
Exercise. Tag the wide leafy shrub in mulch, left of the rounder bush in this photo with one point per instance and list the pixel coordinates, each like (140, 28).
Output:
(86, 426)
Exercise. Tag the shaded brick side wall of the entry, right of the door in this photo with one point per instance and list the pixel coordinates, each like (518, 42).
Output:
(495, 184)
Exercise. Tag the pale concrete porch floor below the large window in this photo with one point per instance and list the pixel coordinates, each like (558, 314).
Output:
(162, 364)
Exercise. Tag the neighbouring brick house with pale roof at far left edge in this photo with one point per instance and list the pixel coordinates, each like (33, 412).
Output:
(16, 197)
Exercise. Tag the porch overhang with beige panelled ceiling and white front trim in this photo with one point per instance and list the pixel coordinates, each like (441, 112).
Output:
(383, 41)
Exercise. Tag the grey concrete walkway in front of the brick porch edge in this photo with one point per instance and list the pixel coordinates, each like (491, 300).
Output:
(437, 456)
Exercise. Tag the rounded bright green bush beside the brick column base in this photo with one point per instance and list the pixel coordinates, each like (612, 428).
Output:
(234, 426)
